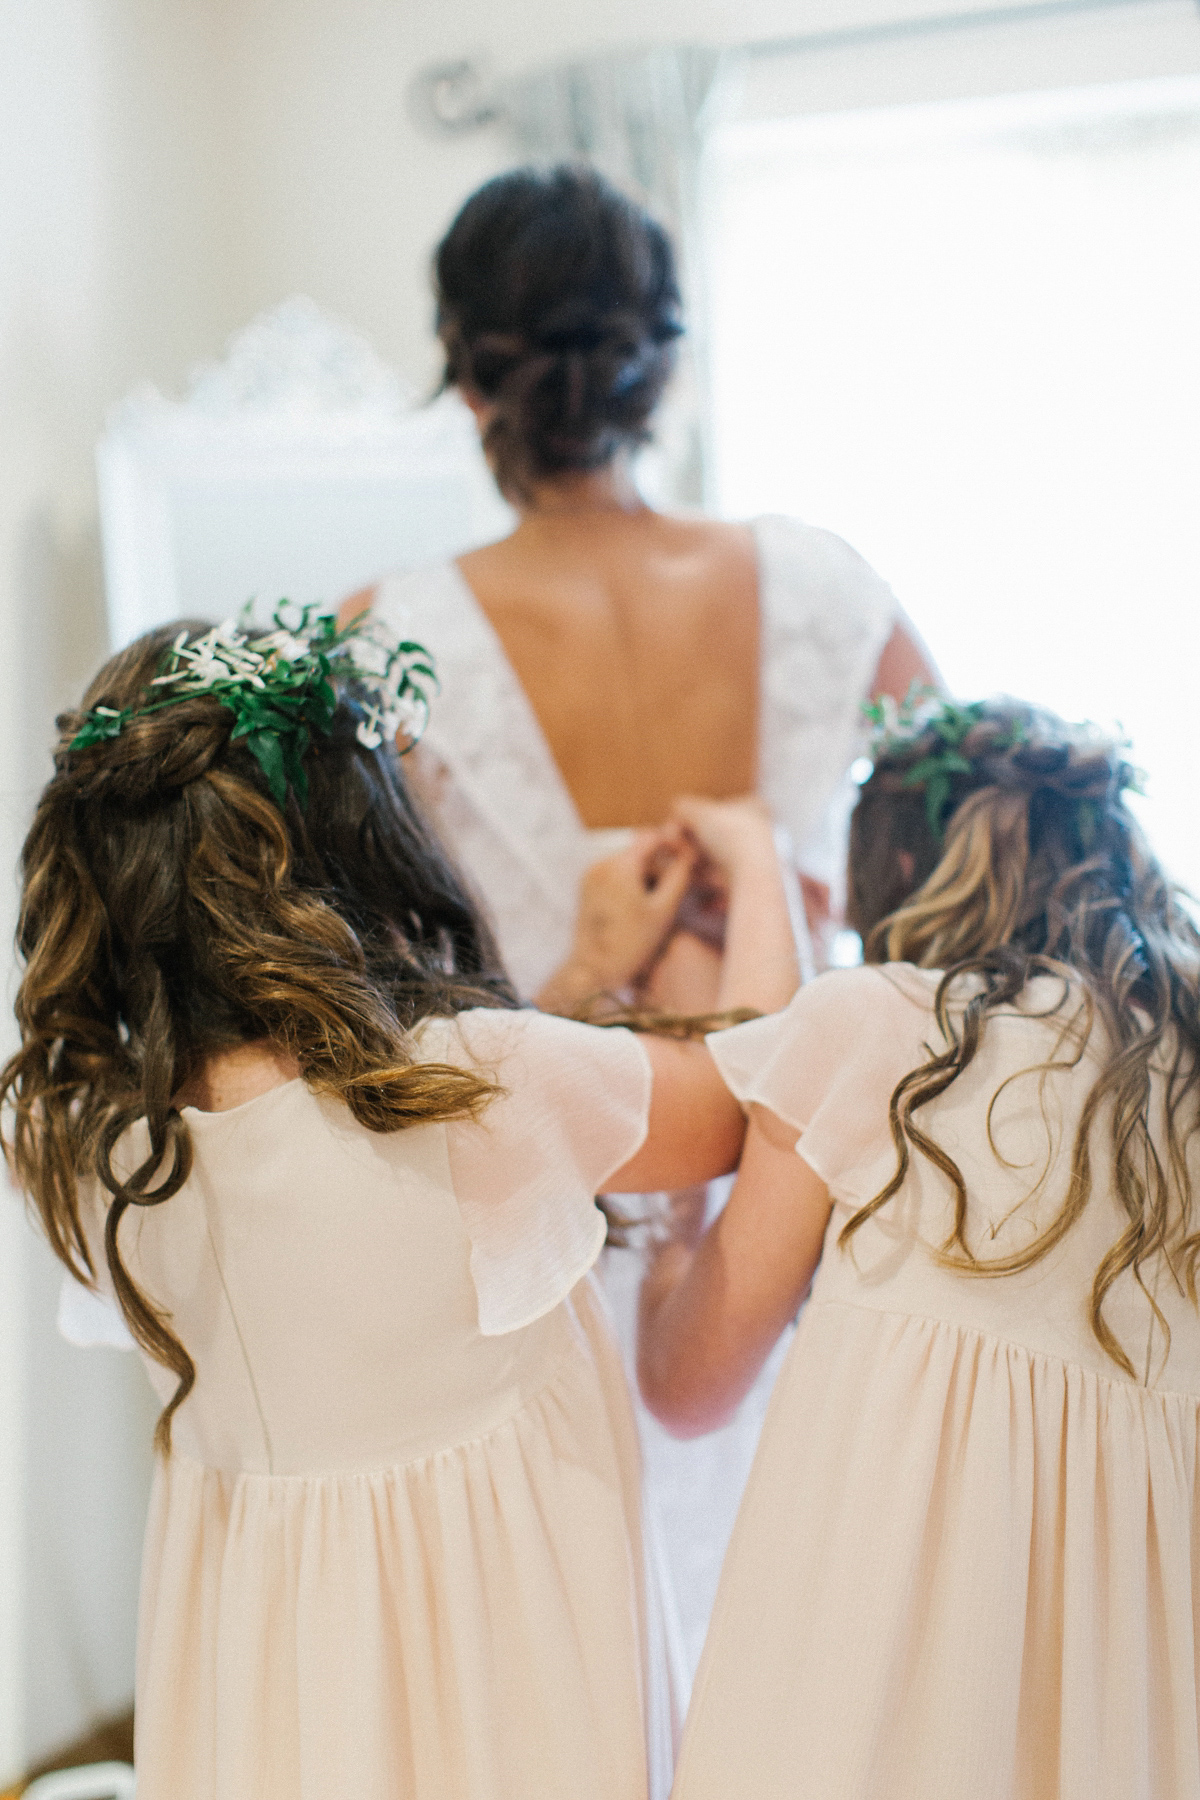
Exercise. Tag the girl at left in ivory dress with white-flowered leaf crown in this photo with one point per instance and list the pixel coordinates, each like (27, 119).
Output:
(276, 1097)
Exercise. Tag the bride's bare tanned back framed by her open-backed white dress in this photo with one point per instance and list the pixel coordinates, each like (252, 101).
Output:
(636, 642)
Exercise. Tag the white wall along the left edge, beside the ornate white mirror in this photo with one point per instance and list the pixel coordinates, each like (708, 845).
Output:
(114, 269)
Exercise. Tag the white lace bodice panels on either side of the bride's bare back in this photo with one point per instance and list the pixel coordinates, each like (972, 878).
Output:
(487, 773)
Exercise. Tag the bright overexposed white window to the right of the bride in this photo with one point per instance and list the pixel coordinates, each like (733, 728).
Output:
(963, 334)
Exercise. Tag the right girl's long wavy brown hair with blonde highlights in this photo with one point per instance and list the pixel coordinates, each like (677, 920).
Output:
(1043, 870)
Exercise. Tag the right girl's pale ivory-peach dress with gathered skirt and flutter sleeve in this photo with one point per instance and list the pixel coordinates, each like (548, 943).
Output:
(967, 1565)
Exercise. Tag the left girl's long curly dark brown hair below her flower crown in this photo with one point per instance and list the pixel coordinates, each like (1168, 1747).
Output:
(172, 910)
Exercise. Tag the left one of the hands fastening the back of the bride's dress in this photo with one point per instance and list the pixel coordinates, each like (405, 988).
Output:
(627, 913)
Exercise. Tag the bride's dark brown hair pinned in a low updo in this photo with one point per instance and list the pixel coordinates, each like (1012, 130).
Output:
(557, 303)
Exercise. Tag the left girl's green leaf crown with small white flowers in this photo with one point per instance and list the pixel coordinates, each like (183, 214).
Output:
(280, 687)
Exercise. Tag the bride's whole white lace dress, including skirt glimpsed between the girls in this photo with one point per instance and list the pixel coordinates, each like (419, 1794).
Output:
(488, 777)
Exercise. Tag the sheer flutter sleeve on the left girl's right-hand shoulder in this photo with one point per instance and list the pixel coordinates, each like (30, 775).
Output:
(575, 1106)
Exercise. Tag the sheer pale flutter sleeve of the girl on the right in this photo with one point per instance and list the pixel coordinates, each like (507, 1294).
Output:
(828, 1063)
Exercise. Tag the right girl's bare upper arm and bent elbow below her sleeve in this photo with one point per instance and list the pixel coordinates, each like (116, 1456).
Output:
(713, 1309)
